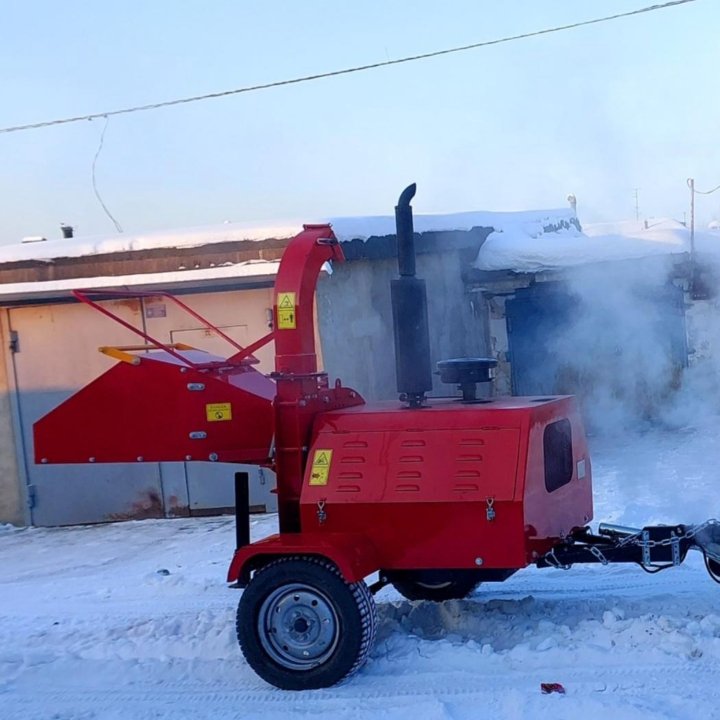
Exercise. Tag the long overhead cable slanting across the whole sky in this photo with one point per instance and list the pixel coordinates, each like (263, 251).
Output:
(346, 71)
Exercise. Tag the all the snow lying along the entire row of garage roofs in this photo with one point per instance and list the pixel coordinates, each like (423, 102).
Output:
(522, 241)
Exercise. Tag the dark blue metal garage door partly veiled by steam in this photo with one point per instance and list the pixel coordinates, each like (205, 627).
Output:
(562, 341)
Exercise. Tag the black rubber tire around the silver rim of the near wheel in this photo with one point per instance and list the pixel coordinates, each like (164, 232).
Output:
(353, 605)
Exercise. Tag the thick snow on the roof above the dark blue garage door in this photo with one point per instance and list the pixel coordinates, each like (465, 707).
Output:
(522, 248)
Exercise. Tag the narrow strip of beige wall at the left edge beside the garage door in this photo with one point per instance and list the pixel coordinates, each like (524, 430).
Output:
(12, 508)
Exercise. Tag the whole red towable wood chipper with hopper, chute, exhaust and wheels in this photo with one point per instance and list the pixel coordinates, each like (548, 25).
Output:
(431, 495)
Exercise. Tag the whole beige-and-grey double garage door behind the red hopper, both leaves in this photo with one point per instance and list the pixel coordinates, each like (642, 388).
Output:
(56, 354)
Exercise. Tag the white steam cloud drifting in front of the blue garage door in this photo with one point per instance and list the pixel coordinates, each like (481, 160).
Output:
(622, 350)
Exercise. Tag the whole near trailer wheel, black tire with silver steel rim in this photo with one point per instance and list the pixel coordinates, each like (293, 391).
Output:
(301, 626)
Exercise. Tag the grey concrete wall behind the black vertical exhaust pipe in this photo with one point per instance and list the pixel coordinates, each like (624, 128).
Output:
(355, 318)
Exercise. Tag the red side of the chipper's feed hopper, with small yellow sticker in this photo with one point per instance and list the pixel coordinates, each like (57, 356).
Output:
(160, 411)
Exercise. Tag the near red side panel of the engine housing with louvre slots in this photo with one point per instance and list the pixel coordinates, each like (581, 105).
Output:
(424, 498)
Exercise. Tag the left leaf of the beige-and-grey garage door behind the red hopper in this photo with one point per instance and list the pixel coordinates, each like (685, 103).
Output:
(49, 366)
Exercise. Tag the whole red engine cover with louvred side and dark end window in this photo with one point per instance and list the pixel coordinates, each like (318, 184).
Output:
(452, 485)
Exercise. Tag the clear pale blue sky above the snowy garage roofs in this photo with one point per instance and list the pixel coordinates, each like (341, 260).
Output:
(596, 111)
